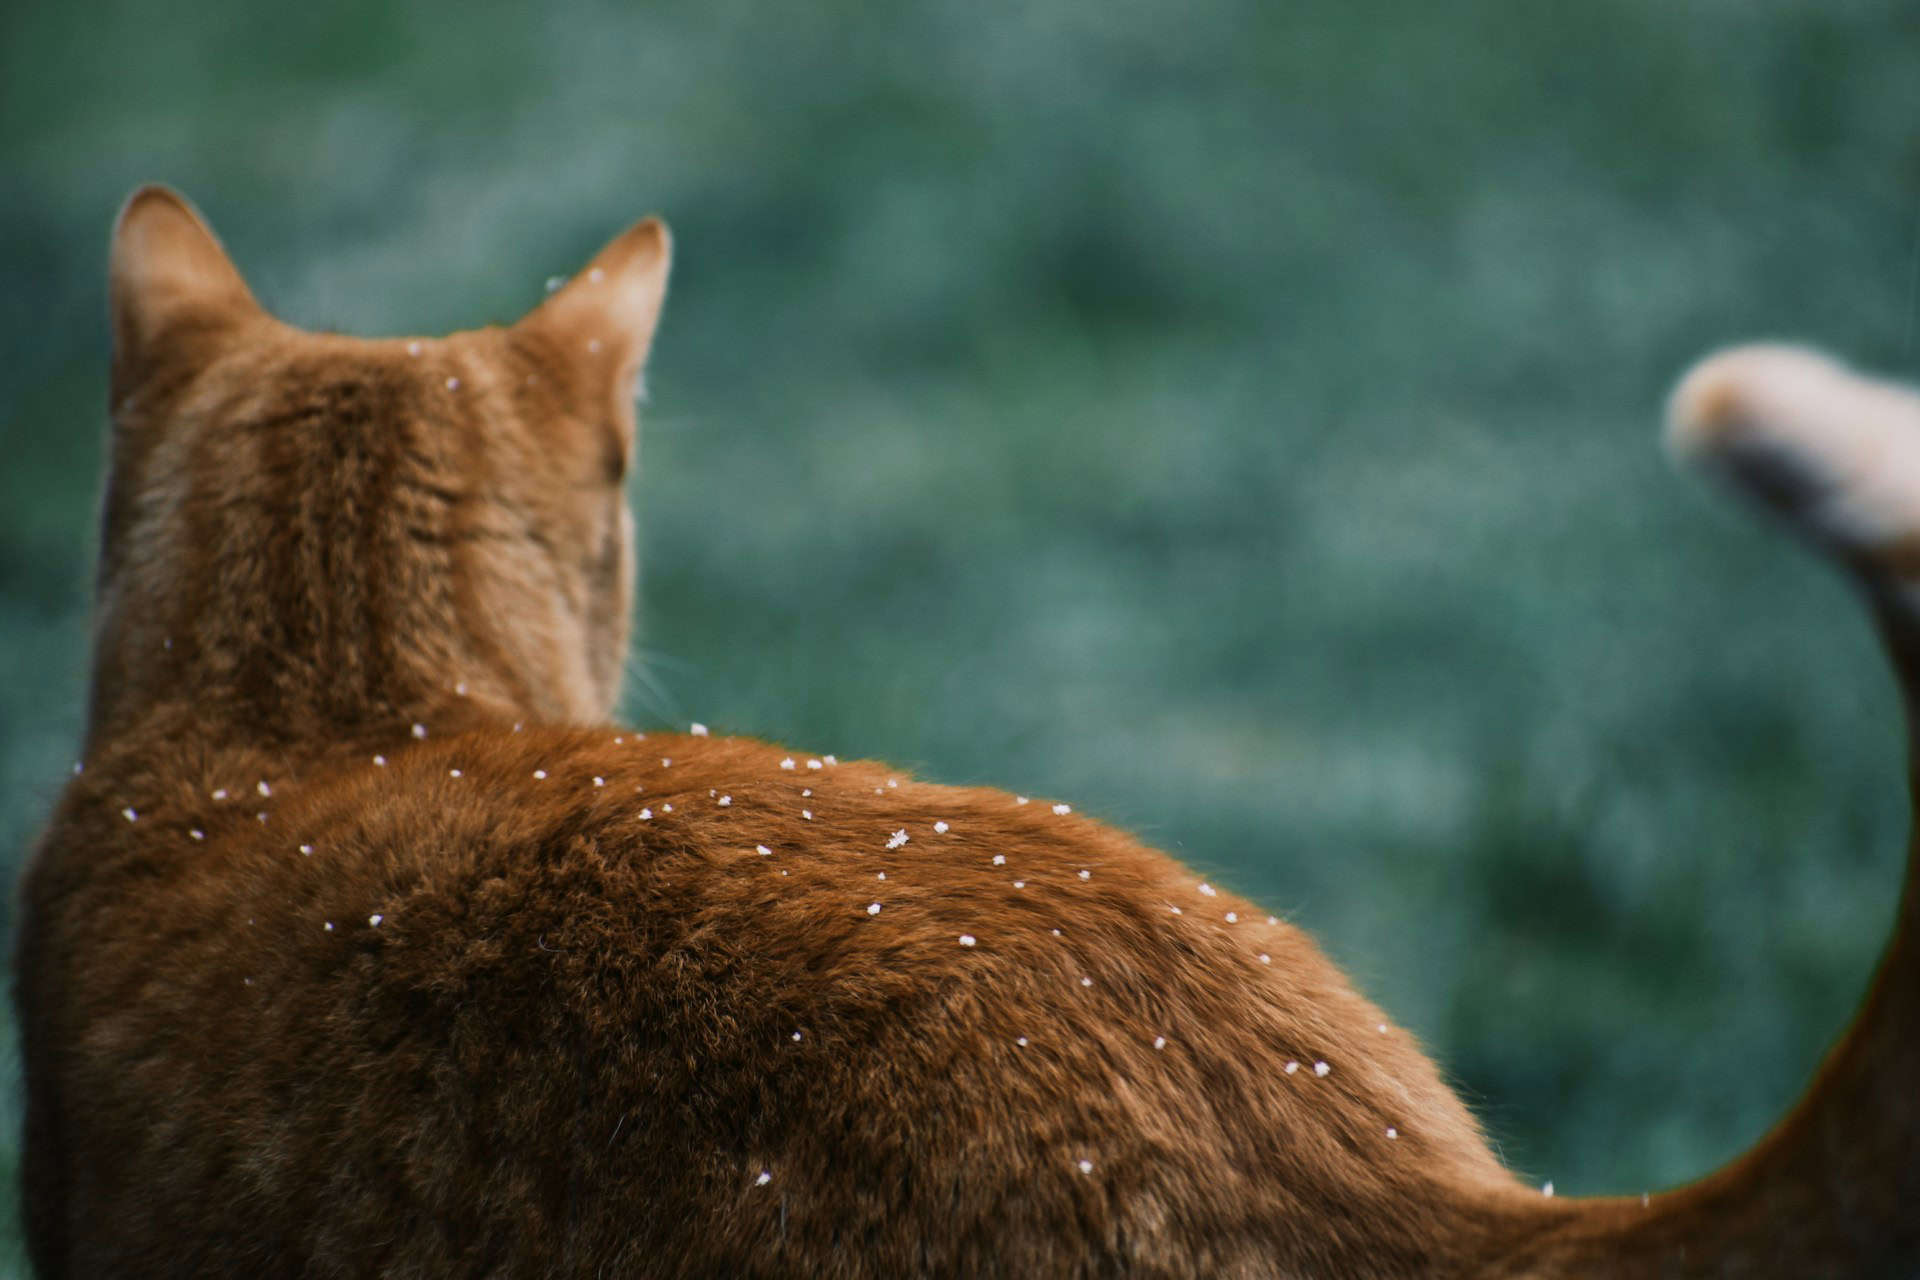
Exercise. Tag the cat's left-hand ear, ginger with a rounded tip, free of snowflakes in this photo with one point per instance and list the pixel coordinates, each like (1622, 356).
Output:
(170, 283)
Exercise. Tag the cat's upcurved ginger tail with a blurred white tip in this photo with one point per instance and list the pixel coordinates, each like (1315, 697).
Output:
(1835, 1189)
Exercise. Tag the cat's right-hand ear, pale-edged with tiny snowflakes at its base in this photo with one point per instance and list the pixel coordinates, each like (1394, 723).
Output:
(604, 318)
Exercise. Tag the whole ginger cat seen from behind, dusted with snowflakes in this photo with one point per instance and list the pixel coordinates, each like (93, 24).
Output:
(364, 947)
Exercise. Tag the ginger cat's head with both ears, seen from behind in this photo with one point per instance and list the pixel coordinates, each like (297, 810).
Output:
(314, 525)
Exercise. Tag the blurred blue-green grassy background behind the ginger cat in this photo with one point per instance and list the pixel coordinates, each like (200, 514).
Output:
(1237, 419)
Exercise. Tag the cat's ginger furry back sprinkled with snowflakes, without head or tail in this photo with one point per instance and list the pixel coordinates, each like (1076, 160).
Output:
(708, 1003)
